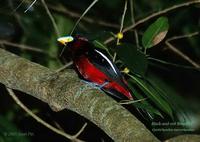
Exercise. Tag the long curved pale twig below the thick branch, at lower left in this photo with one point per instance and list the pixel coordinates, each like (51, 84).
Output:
(38, 119)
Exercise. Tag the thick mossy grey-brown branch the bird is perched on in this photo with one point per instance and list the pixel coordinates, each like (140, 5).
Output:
(65, 90)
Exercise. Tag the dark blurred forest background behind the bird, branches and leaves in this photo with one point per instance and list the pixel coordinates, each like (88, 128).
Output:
(32, 35)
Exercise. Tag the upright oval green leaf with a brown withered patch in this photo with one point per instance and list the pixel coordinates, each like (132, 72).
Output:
(155, 33)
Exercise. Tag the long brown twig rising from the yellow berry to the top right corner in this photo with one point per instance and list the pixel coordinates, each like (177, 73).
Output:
(164, 11)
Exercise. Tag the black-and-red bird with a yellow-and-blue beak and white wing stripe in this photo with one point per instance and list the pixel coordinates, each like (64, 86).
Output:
(95, 67)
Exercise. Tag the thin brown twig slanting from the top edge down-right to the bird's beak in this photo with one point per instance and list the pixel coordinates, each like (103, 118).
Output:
(51, 18)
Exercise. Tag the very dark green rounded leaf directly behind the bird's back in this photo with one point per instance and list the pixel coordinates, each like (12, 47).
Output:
(135, 60)
